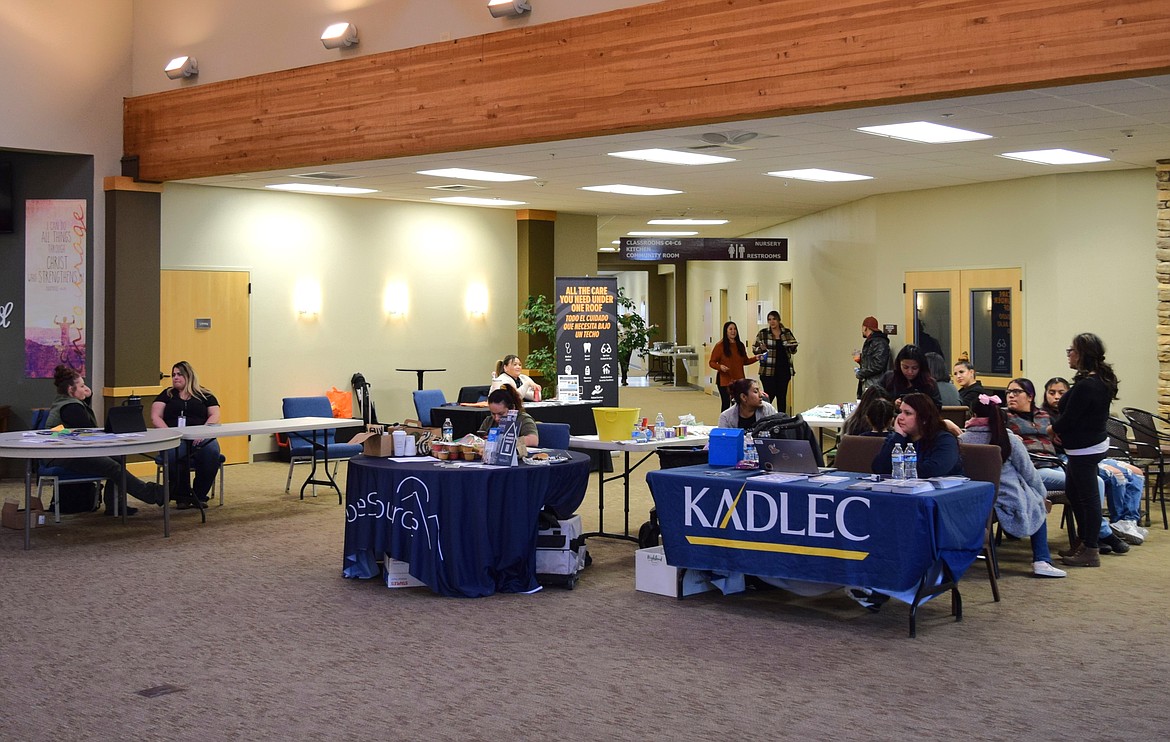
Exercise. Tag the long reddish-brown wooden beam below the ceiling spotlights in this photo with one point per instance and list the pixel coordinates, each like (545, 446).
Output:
(677, 63)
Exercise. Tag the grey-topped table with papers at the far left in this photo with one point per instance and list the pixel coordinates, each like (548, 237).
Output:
(31, 445)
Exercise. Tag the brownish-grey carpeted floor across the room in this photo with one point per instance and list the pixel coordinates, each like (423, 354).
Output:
(249, 617)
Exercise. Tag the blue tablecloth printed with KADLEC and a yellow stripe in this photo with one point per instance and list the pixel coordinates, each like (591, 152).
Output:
(721, 520)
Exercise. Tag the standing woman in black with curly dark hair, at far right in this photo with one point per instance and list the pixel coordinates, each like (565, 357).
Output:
(1080, 430)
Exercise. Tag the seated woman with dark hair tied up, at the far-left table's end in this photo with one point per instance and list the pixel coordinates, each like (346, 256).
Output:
(71, 410)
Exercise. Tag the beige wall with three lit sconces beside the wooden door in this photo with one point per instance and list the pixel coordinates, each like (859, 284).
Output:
(354, 249)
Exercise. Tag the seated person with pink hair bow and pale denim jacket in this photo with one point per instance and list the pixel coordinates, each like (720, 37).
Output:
(1021, 501)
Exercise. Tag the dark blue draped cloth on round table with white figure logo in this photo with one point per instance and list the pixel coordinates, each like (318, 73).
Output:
(465, 532)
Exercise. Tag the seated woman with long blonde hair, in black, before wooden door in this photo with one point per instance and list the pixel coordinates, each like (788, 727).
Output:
(188, 403)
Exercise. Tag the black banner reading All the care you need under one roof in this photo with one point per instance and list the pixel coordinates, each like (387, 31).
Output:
(588, 335)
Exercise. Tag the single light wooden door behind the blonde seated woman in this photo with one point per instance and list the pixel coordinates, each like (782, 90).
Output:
(219, 353)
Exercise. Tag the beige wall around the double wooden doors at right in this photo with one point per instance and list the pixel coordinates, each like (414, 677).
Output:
(1085, 244)
